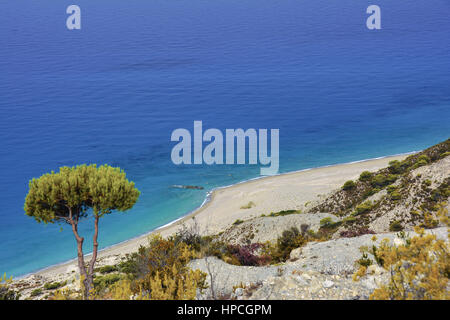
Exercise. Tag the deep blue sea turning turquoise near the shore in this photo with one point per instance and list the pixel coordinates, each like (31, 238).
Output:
(114, 91)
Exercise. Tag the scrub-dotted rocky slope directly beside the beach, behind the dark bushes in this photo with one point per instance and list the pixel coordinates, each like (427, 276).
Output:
(393, 199)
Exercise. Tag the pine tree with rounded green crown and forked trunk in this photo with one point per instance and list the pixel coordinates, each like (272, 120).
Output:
(72, 194)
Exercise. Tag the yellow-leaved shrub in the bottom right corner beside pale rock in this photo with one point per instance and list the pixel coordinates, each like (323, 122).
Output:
(418, 269)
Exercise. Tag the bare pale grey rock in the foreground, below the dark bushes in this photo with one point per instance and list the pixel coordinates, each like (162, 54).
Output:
(320, 270)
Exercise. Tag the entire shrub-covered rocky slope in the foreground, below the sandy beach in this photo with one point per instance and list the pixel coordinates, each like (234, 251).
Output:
(404, 195)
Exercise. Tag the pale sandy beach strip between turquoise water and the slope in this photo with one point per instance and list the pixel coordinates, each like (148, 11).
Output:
(225, 205)
